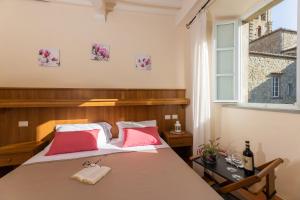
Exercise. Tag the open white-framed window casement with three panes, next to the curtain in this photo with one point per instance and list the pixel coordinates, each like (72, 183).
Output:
(225, 62)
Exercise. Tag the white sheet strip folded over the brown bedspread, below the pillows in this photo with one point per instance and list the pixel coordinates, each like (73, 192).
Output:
(114, 146)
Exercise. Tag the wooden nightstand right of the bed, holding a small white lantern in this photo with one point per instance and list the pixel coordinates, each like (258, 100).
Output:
(181, 143)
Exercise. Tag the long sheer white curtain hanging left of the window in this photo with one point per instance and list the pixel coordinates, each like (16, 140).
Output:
(201, 101)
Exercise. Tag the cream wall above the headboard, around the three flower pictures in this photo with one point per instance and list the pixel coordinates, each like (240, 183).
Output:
(27, 26)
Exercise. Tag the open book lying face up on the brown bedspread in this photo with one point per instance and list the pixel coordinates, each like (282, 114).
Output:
(91, 175)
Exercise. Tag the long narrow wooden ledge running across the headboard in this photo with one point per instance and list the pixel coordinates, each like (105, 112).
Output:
(51, 103)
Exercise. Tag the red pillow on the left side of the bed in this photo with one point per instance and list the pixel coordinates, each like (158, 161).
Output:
(74, 141)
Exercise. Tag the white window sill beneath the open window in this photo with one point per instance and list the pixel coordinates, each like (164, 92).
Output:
(288, 108)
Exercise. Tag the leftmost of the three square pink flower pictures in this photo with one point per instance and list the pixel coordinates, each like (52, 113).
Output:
(49, 57)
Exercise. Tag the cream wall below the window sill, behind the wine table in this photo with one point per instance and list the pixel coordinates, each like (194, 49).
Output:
(272, 135)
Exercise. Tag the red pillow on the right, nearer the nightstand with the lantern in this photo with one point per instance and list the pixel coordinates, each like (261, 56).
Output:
(141, 136)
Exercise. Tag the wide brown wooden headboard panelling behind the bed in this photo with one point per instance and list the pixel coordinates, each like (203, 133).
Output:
(47, 107)
